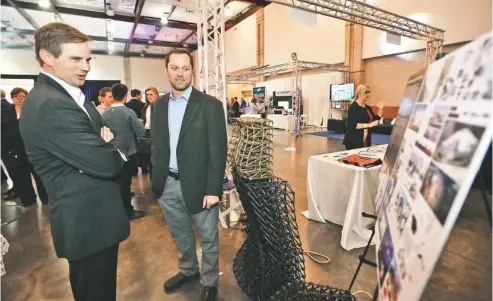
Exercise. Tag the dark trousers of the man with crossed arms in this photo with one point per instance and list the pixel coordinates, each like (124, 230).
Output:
(94, 278)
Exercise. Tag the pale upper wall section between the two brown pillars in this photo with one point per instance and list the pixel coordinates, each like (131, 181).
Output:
(285, 32)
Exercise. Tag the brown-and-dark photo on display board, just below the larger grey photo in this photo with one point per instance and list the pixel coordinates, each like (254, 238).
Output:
(439, 191)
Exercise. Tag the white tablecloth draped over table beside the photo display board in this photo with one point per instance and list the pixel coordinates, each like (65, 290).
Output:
(339, 193)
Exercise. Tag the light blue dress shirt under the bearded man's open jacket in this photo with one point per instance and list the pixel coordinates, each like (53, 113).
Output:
(176, 111)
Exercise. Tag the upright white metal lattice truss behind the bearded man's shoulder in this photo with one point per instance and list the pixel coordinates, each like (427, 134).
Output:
(210, 40)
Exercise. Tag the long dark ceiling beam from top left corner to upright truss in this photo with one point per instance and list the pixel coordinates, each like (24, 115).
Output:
(99, 14)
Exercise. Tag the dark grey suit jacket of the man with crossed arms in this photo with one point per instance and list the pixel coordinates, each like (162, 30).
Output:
(86, 209)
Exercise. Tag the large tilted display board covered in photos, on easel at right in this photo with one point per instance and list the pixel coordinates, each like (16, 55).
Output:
(442, 131)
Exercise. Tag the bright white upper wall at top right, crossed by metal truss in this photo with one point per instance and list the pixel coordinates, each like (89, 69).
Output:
(461, 20)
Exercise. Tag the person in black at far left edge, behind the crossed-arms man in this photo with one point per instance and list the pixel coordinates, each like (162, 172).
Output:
(14, 154)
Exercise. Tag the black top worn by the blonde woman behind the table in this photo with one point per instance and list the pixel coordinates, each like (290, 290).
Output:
(357, 114)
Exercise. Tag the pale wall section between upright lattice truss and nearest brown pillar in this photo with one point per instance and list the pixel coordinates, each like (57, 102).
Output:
(240, 43)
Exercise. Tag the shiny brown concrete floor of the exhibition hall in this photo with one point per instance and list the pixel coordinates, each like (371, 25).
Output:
(148, 257)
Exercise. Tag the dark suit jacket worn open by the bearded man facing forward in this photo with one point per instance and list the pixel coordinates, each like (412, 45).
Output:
(201, 150)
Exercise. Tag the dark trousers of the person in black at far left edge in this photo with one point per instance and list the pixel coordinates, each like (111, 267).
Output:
(20, 170)
